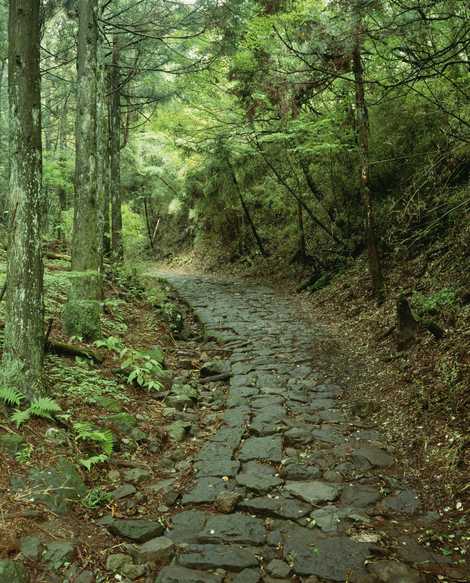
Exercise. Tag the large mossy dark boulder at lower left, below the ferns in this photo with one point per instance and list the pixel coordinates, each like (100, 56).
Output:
(58, 486)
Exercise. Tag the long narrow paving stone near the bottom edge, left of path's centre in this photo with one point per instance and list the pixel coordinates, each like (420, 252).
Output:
(210, 556)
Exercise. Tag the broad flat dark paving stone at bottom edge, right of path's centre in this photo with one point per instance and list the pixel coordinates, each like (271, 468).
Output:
(337, 559)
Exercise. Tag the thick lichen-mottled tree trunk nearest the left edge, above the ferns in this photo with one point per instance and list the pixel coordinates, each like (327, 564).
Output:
(24, 320)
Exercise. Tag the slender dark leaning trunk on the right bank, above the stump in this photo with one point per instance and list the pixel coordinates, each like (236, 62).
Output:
(362, 128)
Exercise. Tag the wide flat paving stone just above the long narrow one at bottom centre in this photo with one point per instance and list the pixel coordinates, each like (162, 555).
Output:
(236, 528)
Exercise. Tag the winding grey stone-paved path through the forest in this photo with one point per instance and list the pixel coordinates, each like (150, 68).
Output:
(292, 486)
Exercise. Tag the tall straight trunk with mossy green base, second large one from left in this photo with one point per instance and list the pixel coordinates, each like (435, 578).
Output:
(82, 312)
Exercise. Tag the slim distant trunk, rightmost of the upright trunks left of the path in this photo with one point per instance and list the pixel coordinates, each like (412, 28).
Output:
(115, 155)
